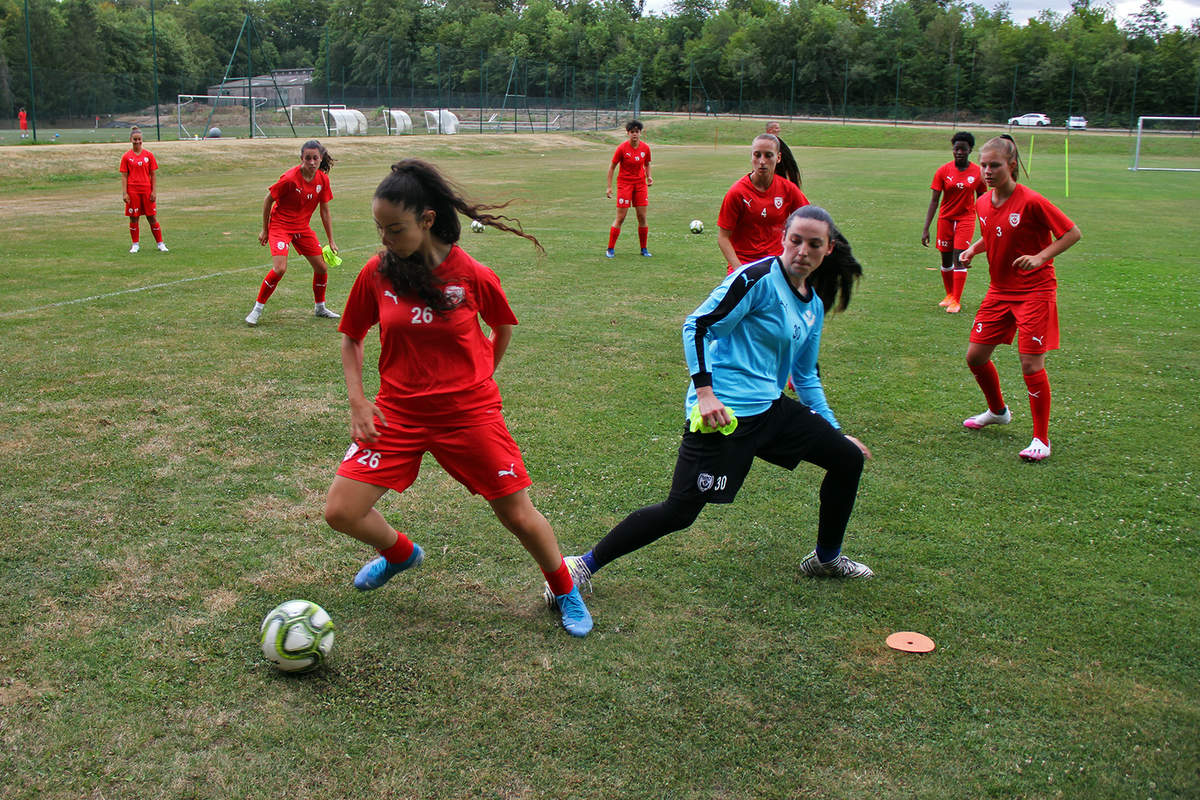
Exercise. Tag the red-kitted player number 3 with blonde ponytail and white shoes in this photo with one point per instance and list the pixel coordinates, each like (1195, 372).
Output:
(1022, 233)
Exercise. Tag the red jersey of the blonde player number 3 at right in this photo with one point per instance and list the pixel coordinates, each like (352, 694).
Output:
(1023, 226)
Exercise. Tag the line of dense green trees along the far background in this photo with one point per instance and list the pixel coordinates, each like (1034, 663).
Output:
(897, 58)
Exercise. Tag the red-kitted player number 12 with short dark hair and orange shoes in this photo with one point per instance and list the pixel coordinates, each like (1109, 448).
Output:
(958, 184)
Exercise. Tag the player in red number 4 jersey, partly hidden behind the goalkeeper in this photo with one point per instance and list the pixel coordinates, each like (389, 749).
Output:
(755, 208)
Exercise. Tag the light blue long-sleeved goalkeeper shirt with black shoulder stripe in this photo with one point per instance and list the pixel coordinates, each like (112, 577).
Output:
(751, 335)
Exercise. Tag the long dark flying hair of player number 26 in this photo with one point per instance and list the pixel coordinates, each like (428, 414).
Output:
(418, 187)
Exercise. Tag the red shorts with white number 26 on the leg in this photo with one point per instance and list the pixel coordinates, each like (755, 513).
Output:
(482, 458)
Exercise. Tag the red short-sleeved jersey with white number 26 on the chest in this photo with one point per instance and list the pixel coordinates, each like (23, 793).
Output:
(435, 370)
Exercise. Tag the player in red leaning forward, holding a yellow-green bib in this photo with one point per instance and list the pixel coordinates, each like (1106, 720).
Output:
(286, 214)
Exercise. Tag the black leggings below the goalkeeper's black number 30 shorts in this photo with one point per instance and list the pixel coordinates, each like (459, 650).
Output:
(844, 467)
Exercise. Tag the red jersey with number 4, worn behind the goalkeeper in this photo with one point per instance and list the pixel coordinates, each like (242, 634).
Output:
(755, 220)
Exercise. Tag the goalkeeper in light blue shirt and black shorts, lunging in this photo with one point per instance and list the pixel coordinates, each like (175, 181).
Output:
(761, 326)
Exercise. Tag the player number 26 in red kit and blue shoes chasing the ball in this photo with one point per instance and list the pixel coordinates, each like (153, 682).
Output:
(437, 392)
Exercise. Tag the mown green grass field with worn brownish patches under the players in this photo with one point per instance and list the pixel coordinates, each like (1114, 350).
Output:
(165, 471)
